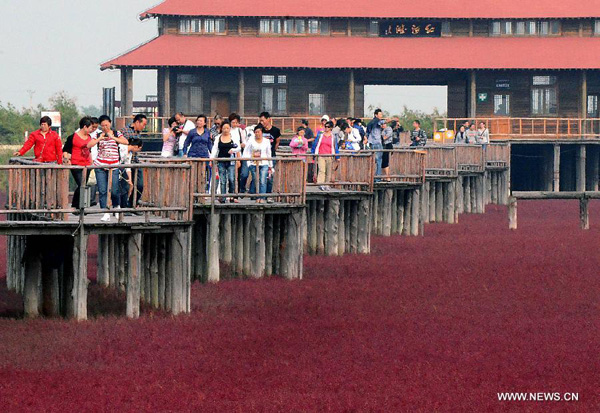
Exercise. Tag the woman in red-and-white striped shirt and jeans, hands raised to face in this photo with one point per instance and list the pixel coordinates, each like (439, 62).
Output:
(108, 141)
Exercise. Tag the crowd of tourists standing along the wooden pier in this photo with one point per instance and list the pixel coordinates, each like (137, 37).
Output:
(240, 151)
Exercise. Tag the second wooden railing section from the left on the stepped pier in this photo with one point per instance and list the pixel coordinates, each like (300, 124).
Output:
(289, 179)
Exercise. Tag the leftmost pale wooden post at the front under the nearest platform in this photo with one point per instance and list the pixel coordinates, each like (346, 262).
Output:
(80, 281)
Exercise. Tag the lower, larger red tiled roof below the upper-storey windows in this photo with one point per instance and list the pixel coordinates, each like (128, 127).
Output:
(364, 52)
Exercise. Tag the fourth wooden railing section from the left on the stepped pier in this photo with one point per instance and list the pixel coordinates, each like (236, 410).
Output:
(406, 166)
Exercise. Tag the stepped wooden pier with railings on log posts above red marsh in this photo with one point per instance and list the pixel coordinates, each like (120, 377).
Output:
(183, 230)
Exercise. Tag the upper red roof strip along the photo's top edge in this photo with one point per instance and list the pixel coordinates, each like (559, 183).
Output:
(457, 9)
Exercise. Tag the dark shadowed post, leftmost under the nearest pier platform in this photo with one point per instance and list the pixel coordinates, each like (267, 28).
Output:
(32, 291)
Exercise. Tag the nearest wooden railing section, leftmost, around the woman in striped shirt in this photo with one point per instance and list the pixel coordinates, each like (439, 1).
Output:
(42, 191)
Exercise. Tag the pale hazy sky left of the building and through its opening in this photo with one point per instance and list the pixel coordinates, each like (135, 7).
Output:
(51, 45)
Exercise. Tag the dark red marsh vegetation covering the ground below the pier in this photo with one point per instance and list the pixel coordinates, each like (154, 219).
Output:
(442, 322)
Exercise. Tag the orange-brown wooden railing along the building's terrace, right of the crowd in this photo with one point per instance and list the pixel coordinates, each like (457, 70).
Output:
(530, 128)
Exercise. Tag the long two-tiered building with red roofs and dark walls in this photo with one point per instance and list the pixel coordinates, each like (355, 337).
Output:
(505, 59)
